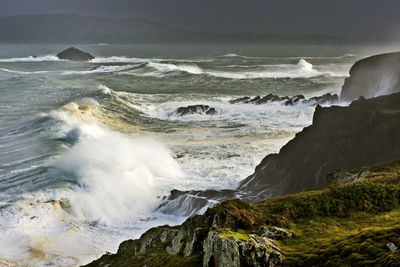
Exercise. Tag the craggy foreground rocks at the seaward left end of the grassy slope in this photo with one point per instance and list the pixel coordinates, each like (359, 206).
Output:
(202, 240)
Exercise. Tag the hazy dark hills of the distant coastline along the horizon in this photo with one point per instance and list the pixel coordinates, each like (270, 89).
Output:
(89, 29)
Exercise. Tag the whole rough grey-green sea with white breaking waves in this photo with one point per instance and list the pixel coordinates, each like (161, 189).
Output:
(88, 149)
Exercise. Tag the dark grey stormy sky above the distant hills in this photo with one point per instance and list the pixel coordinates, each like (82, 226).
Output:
(328, 17)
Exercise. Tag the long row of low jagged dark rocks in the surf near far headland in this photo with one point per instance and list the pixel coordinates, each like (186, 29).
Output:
(288, 101)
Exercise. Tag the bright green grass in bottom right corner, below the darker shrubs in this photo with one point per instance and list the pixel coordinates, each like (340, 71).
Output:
(357, 239)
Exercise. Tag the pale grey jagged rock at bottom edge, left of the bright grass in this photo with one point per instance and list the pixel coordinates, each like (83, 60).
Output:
(221, 251)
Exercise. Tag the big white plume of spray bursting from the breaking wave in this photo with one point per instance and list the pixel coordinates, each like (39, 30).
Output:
(119, 177)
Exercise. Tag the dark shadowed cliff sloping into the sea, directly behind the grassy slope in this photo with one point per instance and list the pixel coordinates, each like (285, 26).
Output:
(366, 132)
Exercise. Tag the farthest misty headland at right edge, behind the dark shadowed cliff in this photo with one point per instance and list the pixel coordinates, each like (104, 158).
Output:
(373, 76)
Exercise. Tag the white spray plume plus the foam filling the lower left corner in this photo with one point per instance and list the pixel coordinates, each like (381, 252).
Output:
(118, 181)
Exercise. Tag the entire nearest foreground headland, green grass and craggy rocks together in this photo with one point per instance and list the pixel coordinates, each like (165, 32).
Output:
(291, 230)
